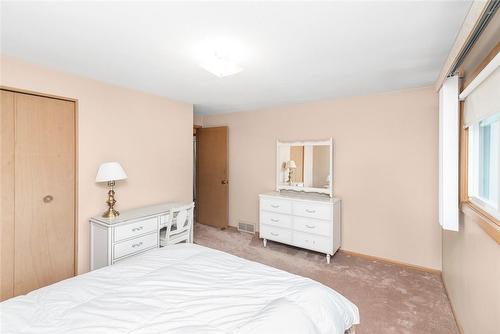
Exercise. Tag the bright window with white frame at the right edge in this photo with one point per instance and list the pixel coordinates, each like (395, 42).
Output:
(484, 164)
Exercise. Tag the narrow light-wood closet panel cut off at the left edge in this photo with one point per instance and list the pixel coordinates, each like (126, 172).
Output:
(7, 195)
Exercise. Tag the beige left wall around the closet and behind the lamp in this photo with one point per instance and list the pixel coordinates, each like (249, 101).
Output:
(149, 135)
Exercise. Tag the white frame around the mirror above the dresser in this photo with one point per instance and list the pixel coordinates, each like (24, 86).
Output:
(328, 191)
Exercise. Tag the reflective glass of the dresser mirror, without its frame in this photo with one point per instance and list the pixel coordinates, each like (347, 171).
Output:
(305, 166)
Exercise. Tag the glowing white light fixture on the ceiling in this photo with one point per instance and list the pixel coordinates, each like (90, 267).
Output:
(221, 57)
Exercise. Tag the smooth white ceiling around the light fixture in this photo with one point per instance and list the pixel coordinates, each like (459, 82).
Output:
(297, 52)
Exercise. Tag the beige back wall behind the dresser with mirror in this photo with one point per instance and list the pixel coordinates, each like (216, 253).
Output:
(385, 167)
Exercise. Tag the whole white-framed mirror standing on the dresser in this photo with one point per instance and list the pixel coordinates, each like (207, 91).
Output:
(305, 166)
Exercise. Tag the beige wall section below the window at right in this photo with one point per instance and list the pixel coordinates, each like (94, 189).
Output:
(471, 273)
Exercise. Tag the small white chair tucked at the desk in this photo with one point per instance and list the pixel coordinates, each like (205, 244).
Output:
(179, 226)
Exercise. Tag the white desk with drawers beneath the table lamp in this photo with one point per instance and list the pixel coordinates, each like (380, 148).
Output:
(133, 232)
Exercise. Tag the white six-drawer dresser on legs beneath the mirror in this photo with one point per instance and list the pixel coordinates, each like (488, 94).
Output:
(306, 220)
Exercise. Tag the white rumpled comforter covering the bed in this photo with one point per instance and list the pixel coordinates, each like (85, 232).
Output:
(184, 288)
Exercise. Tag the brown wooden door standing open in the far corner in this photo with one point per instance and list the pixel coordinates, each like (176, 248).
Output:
(212, 186)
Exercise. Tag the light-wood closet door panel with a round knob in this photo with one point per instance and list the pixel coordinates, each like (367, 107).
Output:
(44, 191)
